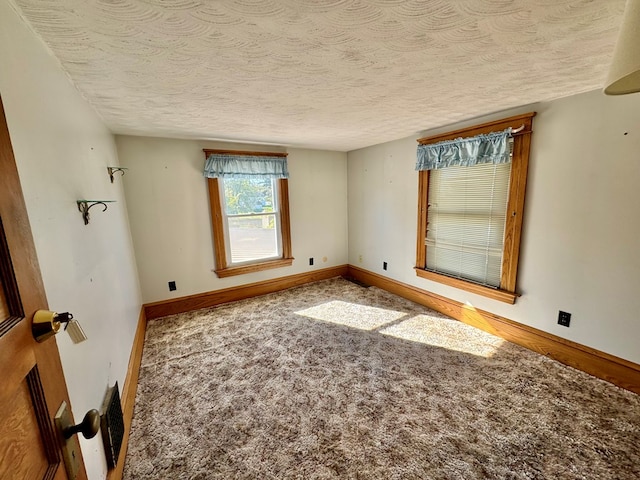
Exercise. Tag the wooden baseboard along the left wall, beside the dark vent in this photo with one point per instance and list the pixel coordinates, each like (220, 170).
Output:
(129, 392)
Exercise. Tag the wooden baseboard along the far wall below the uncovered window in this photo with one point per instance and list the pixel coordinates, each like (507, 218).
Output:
(217, 297)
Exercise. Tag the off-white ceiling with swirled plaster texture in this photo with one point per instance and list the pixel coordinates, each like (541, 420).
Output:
(332, 74)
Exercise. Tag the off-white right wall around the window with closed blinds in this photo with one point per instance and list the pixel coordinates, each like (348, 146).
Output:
(581, 227)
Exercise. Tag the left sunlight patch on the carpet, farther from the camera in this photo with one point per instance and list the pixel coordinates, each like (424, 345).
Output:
(352, 315)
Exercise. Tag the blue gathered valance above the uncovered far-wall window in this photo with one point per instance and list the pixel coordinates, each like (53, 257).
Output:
(227, 165)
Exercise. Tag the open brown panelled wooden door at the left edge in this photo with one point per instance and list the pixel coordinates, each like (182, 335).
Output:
(32, 385)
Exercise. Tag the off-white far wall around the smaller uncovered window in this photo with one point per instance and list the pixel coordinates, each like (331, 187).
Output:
(168, 205)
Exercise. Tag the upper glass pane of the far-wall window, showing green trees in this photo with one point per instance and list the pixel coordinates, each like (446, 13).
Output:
(248, 195)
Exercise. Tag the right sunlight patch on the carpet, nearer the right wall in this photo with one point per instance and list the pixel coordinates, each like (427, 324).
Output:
(449, 334)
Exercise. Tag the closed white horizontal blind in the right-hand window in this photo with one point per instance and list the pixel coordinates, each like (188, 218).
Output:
(466, 221)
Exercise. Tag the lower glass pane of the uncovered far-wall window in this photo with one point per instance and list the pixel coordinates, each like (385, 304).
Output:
(253, 238)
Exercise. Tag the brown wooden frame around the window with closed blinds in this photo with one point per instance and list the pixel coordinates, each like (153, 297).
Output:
(515, 209)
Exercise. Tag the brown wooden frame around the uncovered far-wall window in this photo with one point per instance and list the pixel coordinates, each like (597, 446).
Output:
(224, 270)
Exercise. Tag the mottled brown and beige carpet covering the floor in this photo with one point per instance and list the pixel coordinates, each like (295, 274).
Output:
(333, 380)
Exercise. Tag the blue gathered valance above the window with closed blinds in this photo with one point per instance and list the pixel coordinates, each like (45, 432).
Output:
(486, 148)
